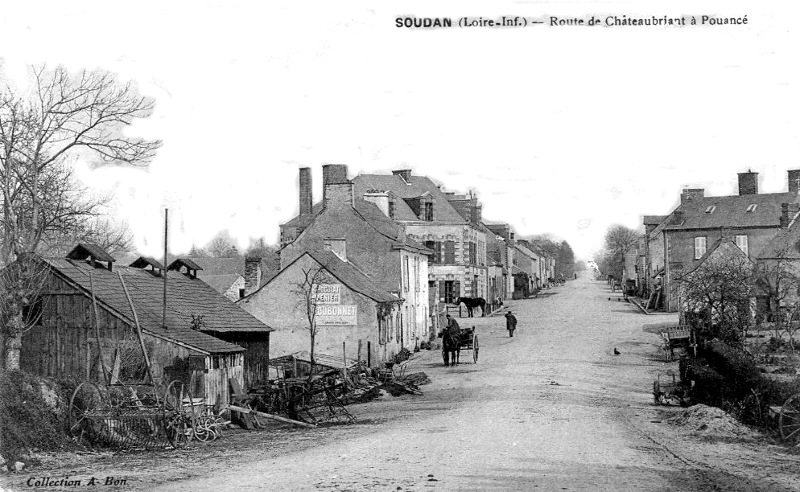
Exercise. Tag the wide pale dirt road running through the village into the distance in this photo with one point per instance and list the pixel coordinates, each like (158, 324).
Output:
(550, 409)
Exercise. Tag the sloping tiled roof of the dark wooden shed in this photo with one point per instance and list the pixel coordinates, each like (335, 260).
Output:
(185, 297)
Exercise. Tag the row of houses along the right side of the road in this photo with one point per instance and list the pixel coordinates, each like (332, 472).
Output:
(763, 226)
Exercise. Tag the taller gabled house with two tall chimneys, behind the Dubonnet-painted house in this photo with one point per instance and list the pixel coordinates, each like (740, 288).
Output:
(358, 231)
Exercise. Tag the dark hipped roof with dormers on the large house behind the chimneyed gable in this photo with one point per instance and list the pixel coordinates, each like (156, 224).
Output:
(443, 211)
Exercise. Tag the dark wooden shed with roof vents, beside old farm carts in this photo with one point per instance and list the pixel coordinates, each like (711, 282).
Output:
(66, 342)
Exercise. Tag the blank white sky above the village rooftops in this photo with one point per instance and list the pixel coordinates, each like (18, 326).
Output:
(558, 129)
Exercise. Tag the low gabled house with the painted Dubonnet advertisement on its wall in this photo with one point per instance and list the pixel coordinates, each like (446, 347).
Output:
(350, 306)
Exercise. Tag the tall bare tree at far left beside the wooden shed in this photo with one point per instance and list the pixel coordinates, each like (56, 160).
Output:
(62, 117)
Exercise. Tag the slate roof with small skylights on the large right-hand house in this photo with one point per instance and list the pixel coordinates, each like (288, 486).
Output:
(731, 211)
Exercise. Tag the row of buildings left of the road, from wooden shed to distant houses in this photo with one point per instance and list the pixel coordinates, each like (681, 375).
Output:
(379, 257)
